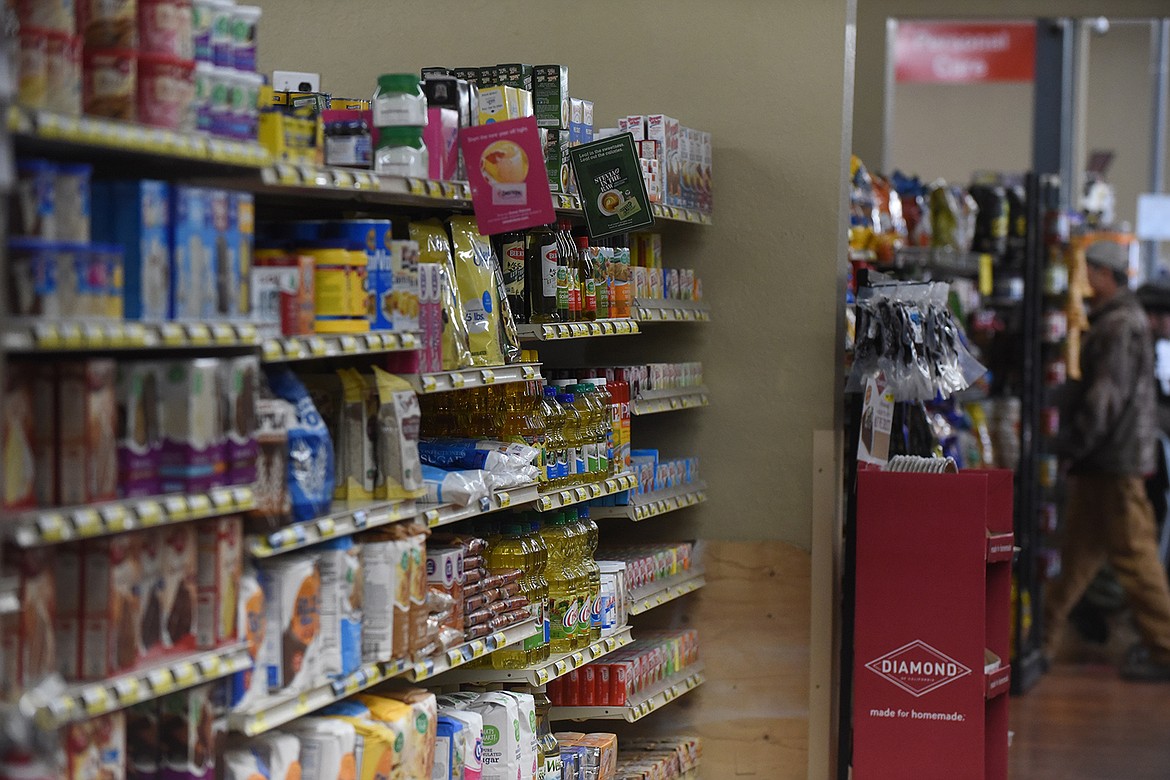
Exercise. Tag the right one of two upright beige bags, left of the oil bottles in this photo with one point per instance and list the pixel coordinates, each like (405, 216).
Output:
(400, 471)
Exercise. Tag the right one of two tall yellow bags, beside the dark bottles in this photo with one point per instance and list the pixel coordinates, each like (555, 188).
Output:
(477, 284)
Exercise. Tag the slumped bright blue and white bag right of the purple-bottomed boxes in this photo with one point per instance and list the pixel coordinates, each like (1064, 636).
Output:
(311, 451)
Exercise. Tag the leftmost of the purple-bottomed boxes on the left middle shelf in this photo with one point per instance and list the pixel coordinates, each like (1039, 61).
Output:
(140, 429)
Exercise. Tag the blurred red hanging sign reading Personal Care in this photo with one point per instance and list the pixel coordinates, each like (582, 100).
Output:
(959, 53)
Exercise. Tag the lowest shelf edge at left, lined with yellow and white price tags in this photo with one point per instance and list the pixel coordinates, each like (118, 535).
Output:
(92, 700)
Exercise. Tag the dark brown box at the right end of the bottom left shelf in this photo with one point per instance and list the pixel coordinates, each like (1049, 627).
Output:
(187, 735)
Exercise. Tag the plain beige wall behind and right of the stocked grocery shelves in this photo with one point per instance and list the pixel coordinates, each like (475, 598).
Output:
(769, 265)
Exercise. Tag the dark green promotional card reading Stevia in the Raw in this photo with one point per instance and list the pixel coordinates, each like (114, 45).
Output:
(610, 182)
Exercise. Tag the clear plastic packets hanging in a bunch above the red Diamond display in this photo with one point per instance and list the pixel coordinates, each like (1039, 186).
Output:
(907, 333)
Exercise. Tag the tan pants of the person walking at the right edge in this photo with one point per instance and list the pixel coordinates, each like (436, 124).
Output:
(1109, 517)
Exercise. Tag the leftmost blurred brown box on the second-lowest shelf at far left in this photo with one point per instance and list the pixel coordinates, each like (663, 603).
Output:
(27, 641)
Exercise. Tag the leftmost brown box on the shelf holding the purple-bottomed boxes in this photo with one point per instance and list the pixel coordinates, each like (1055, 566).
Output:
(19, 434)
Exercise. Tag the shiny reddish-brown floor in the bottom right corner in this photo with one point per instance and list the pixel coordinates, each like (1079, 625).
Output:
(1086, 722)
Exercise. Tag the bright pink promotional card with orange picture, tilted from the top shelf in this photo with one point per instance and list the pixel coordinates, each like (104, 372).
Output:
(506, 170)
